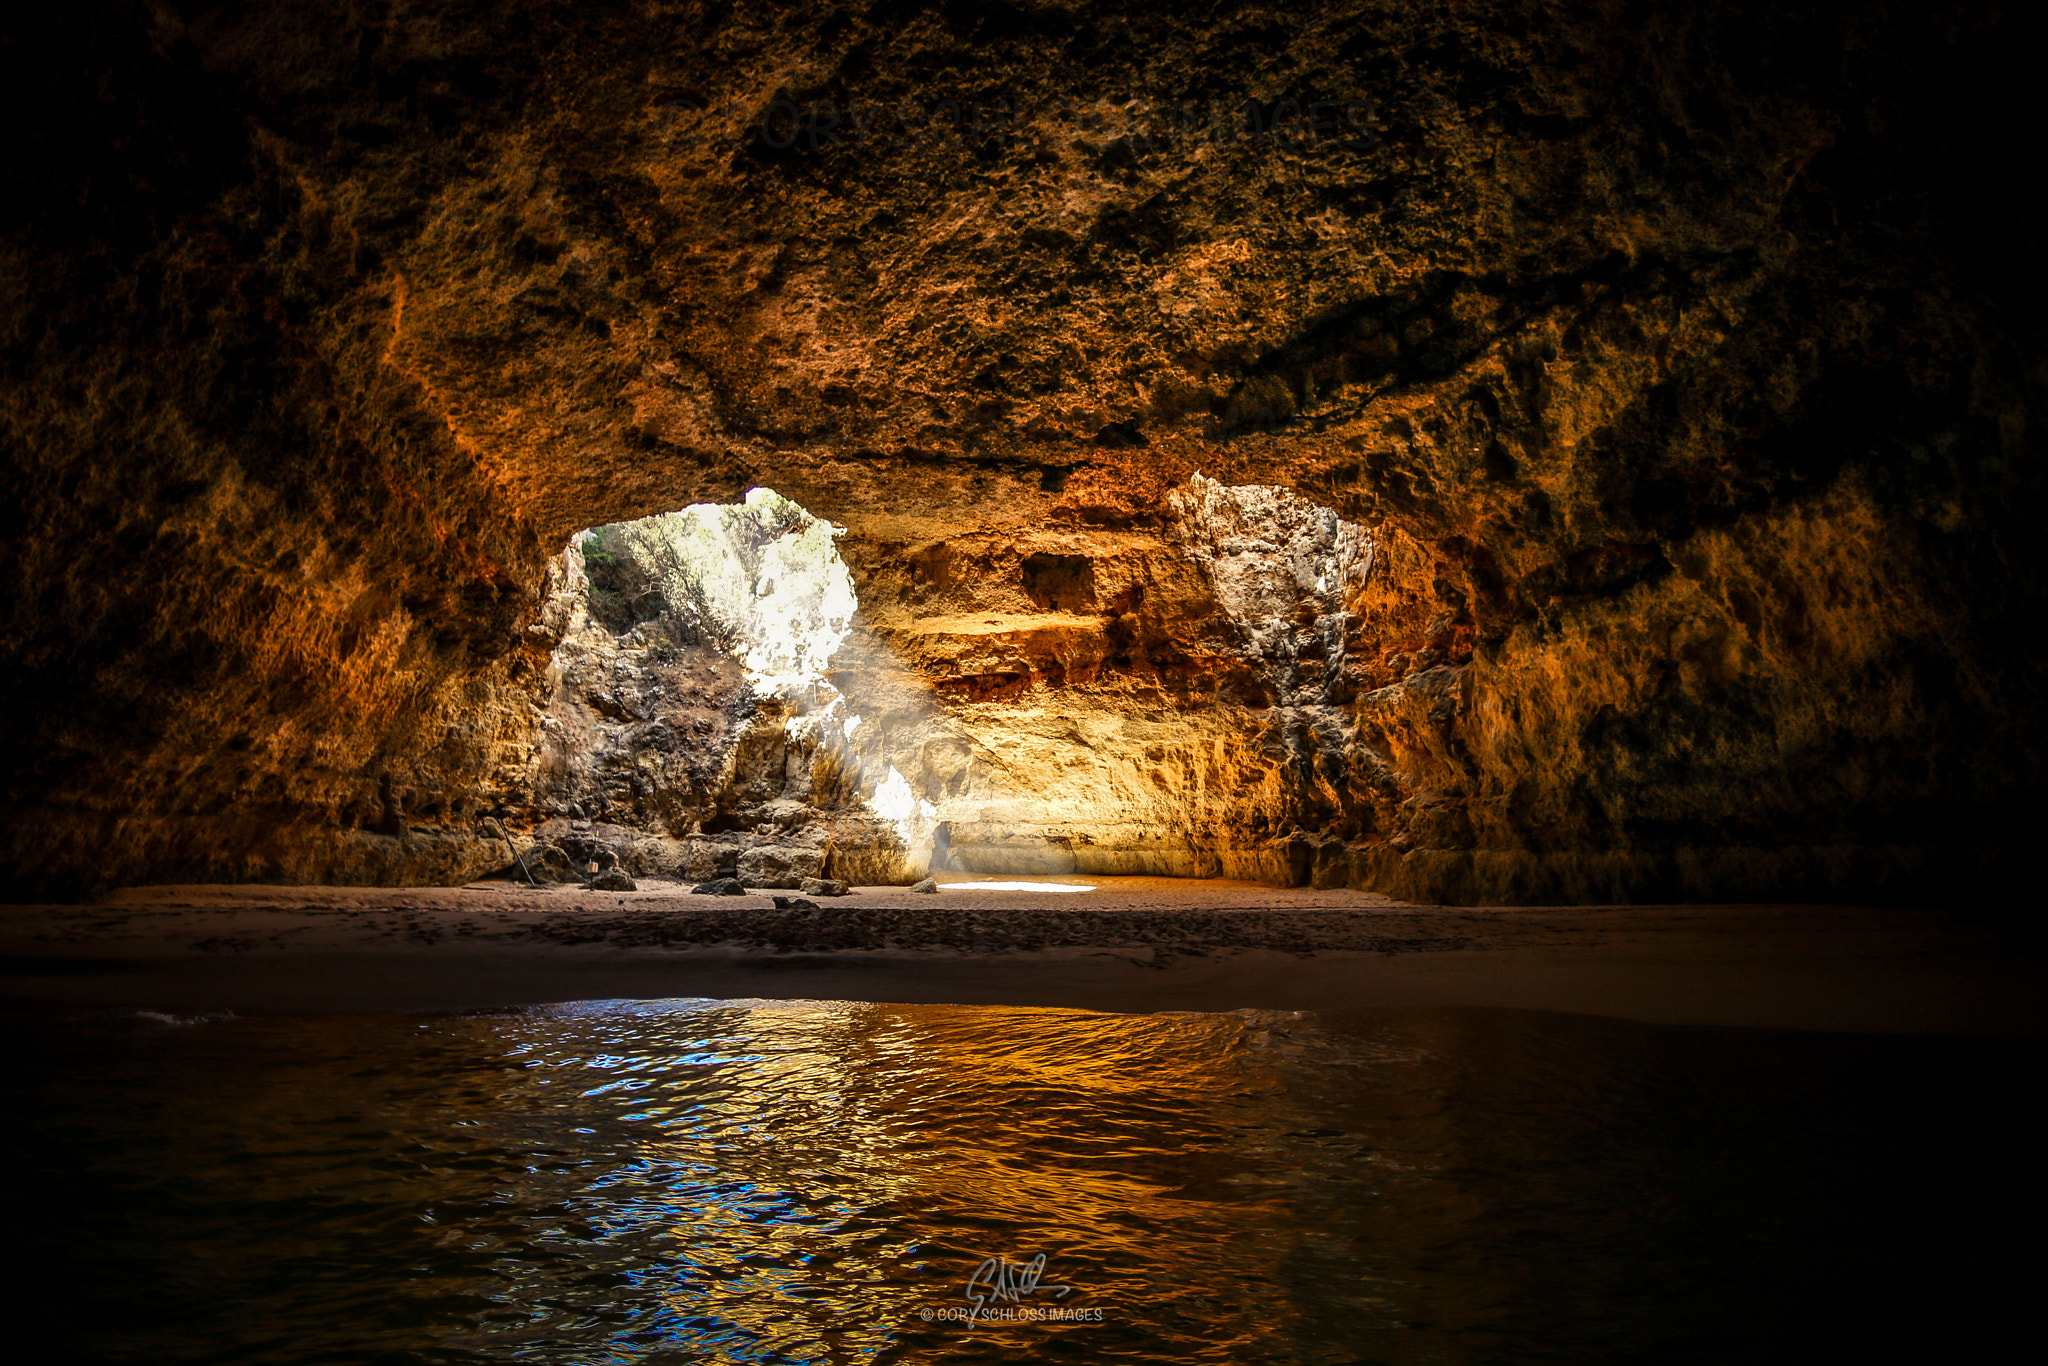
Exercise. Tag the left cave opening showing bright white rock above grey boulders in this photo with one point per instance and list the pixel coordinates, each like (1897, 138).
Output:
(689, 720)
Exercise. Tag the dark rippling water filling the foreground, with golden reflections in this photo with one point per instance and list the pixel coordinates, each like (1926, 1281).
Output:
(810, 1181)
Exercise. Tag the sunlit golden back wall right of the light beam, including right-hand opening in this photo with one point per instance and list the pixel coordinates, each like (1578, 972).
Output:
(1146, 701)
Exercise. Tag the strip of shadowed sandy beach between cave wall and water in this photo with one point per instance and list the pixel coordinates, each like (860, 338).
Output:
(1129, 945)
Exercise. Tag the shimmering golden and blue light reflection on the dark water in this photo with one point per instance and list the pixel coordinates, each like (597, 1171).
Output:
(830, 1170)
